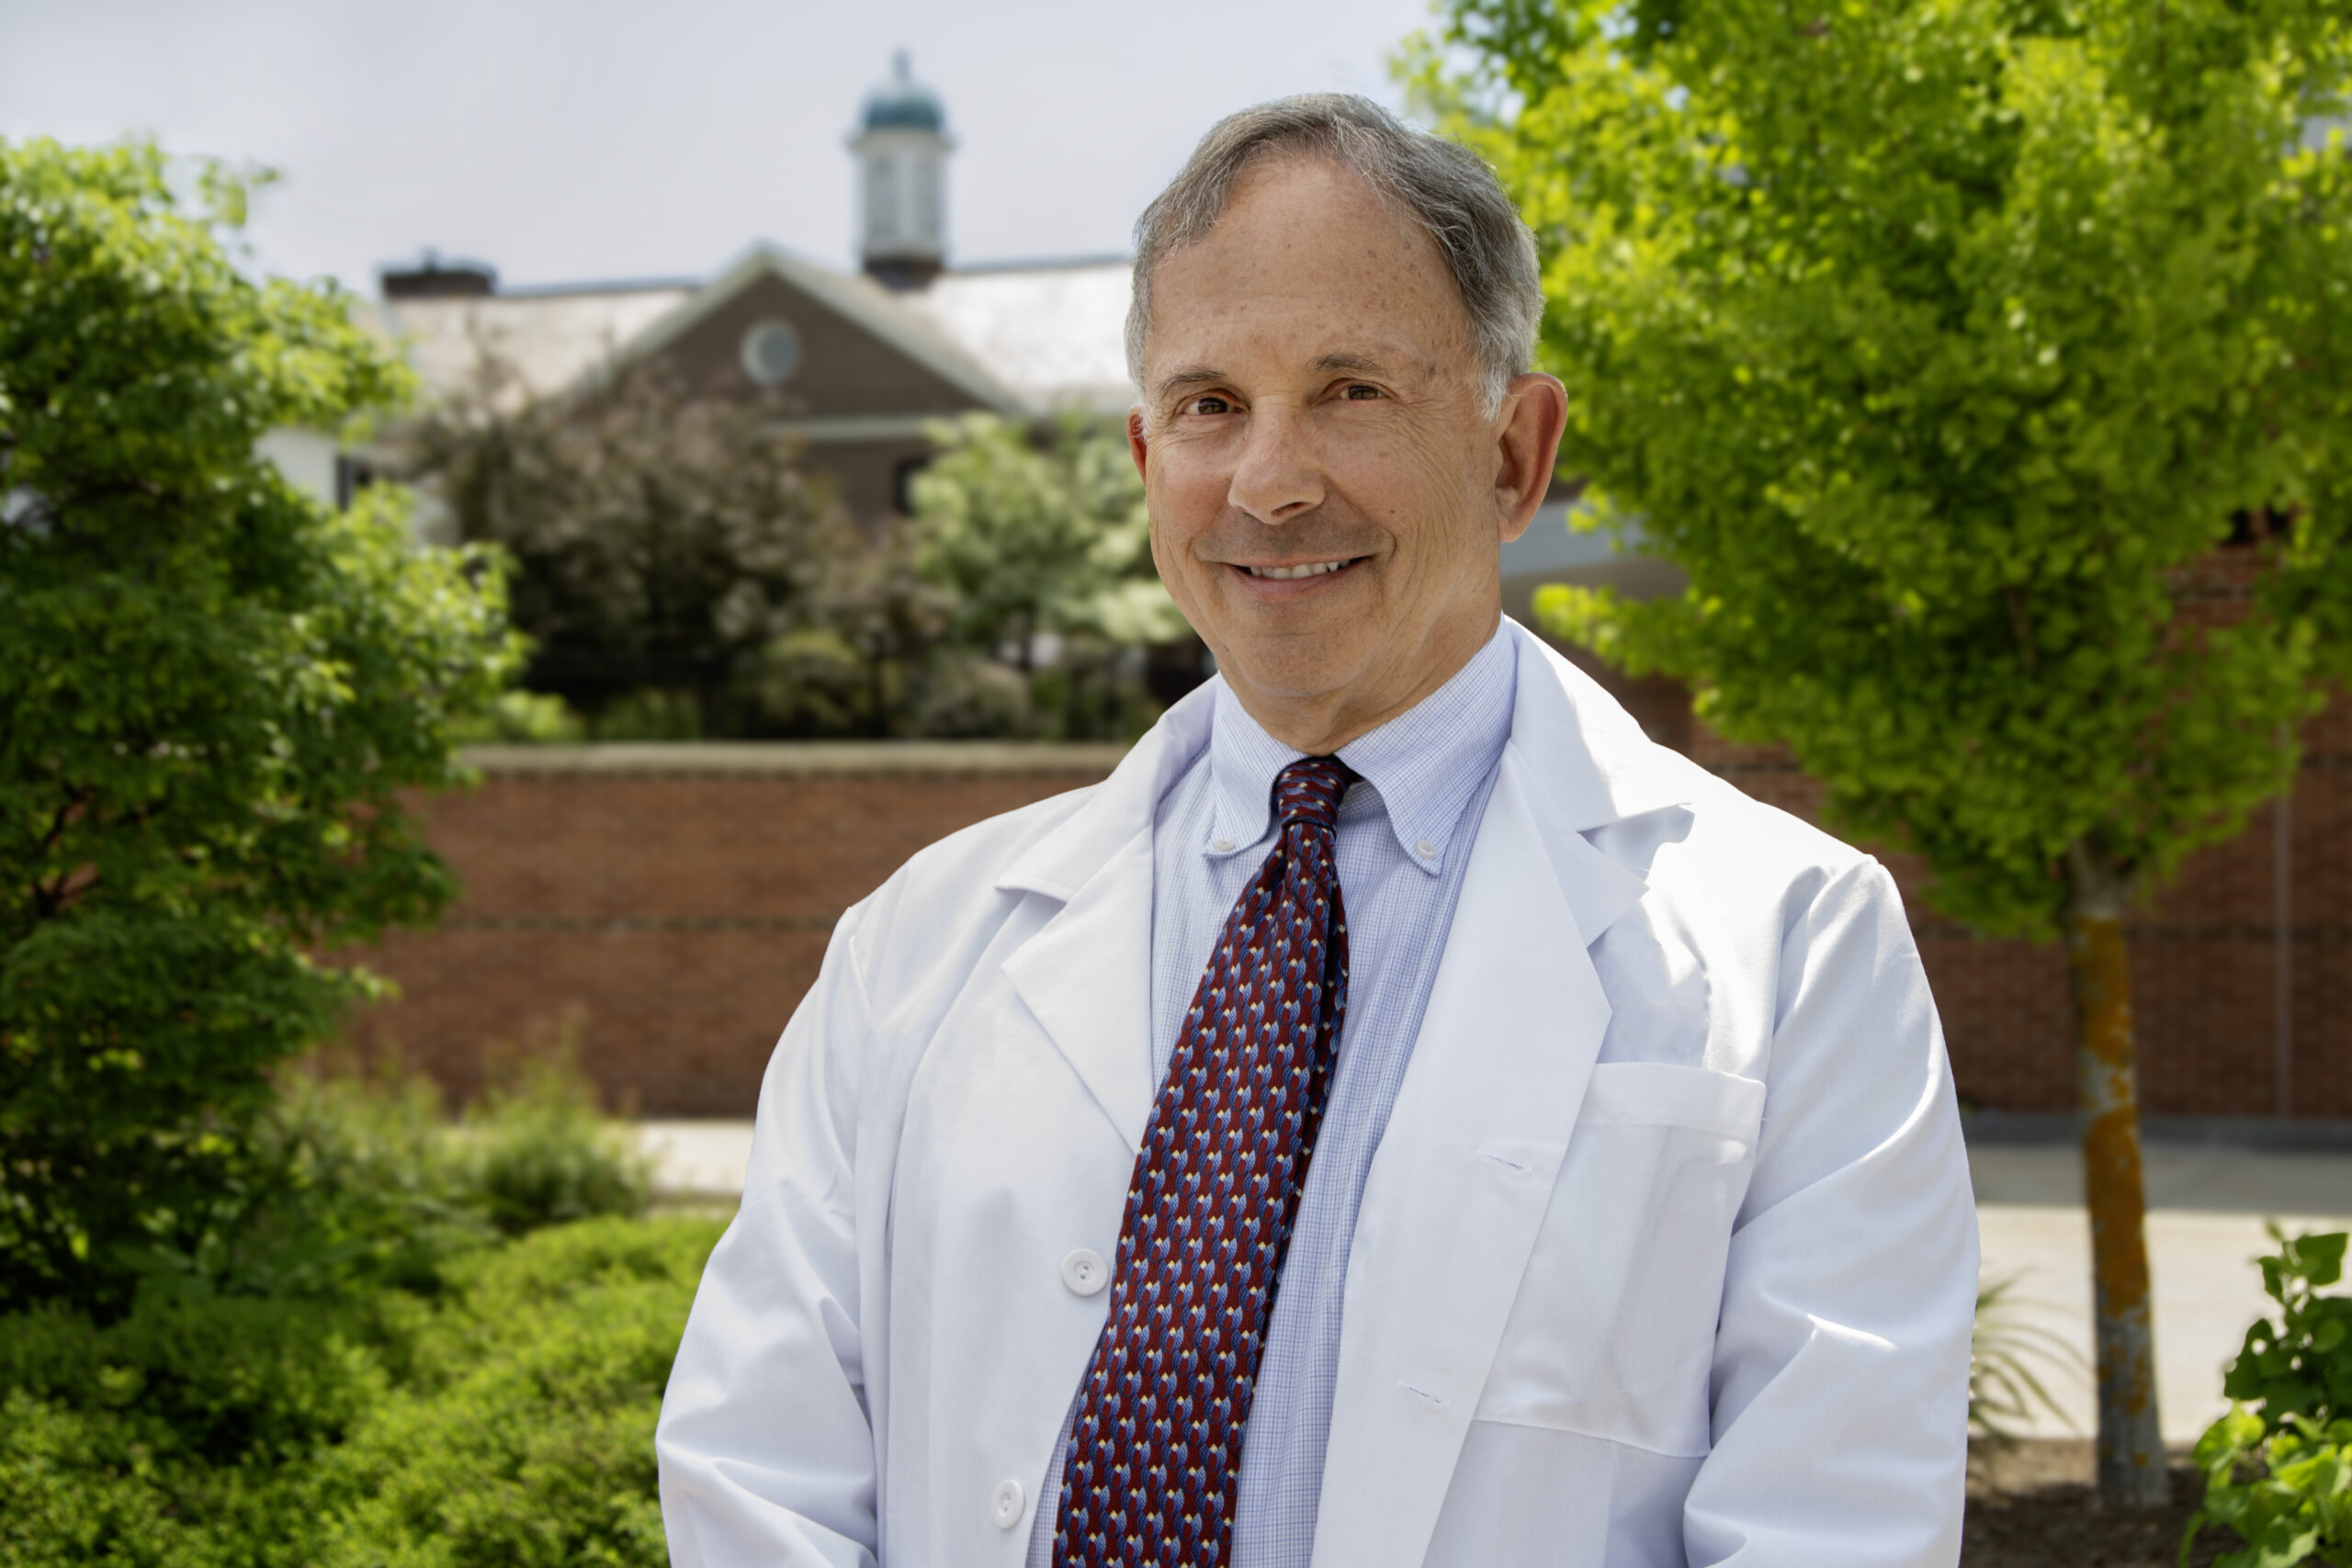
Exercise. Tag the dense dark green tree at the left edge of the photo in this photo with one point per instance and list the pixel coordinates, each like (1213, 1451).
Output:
(213, 692)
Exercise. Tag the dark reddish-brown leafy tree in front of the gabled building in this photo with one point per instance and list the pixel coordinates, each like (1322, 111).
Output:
(662, 542)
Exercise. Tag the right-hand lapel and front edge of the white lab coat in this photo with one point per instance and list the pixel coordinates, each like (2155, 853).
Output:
(1466, 1167)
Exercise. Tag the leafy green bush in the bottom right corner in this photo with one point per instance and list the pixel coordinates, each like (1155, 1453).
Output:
(2278, 1466)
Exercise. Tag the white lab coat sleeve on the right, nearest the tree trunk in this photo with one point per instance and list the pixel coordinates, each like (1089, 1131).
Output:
(1840, 1379)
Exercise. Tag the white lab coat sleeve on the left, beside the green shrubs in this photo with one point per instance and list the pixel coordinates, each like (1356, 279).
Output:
(766, 1445)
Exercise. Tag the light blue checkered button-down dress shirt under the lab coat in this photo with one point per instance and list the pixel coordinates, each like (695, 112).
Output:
(1403, 845)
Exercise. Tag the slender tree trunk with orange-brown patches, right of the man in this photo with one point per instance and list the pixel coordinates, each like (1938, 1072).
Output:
(2130, 1442)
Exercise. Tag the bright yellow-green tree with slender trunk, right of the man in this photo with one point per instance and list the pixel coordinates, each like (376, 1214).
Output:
(1939, 342)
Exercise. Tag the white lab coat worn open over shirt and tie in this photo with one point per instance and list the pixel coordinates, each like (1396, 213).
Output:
(1666, 1257)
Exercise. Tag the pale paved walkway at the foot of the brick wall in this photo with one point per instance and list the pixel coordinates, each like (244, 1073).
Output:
(2205, 1228)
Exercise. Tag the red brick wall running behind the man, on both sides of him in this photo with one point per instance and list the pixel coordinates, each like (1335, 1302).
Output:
(671, 906)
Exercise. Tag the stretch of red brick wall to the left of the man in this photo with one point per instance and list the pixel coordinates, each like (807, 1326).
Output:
(669, 904)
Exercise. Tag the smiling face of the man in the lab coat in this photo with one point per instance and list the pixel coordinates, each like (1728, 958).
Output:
(1328, 492)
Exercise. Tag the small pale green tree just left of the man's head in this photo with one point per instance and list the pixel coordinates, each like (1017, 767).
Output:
(1043, 542)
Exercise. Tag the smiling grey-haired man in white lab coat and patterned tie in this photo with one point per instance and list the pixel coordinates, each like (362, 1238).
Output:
(1401, 1115)
